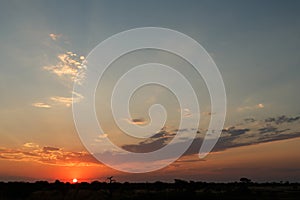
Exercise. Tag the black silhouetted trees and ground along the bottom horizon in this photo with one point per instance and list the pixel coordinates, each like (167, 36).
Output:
(179, 189)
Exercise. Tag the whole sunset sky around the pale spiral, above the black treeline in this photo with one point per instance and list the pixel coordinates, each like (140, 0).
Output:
(255, 44)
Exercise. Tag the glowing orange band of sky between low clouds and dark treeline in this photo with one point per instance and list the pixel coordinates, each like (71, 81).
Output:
(258, 162)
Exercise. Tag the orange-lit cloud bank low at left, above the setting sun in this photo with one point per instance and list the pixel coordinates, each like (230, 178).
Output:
(48, 155)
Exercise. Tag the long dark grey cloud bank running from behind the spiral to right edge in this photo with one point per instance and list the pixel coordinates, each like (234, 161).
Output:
(252, 132)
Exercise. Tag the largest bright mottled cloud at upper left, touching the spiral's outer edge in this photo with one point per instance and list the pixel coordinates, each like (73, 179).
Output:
(70, 66)
